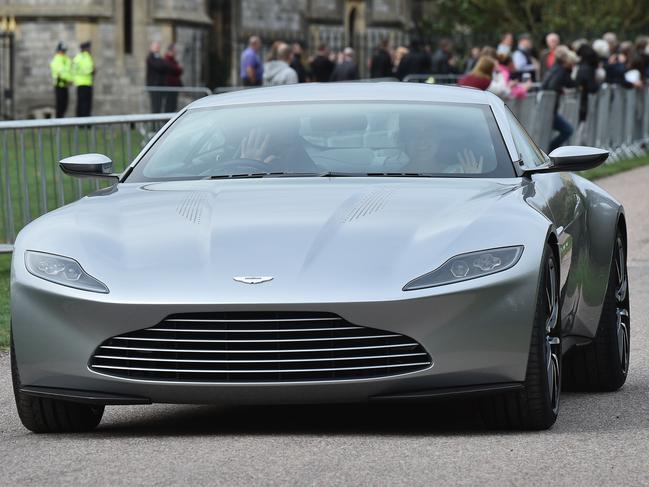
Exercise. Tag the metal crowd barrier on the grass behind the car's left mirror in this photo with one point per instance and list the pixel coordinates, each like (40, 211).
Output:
(31, 183)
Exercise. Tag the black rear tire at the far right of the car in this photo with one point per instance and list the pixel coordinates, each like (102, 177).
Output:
(603, 364)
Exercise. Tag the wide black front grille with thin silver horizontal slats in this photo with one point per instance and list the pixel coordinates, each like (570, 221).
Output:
(258, 347)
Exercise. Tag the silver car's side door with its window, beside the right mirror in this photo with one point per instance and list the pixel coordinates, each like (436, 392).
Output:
(557, 196)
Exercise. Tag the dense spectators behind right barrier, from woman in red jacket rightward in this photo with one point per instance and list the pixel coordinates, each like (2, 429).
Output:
(511, 71)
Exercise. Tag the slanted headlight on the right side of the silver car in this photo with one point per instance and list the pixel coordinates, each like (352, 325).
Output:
(468, 266)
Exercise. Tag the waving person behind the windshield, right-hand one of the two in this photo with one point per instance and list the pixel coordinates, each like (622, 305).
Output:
(432, 149)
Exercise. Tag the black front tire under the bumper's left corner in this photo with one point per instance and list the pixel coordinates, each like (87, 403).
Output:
(42, 415)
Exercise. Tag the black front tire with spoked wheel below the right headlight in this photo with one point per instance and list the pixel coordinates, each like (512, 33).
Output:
(537, 405)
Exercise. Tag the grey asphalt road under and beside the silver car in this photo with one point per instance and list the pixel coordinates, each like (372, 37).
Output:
(599, 439)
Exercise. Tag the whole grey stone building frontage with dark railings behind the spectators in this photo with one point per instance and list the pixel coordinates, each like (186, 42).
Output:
(210, 35)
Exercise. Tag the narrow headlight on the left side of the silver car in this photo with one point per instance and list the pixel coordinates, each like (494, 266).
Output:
(62, 270)
